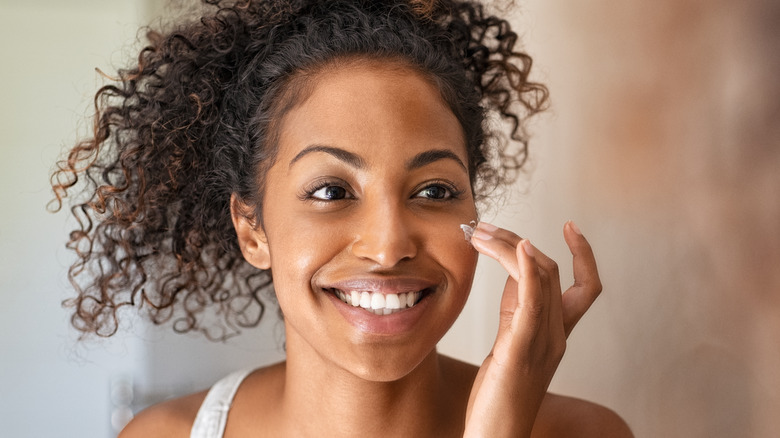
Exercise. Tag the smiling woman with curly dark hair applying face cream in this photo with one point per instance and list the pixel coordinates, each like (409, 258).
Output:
(339, 145)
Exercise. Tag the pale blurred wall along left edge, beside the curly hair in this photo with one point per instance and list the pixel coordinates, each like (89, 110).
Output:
(49, 49)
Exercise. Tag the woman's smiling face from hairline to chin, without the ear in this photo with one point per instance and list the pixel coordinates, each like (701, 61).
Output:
(362, 209)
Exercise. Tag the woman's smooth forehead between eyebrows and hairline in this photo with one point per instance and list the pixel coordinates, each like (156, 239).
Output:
(368, 107)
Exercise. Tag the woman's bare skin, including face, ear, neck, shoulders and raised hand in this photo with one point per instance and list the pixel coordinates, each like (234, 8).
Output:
(369, 187)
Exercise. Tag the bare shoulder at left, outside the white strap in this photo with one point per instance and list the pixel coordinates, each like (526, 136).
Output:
(172, 418)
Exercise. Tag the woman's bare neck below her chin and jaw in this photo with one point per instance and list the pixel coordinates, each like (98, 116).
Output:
(321, 396)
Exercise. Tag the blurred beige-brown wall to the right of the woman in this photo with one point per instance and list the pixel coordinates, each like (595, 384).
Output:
(663, 142)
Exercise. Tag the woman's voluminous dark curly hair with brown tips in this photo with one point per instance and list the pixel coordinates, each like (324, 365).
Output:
(196, 122)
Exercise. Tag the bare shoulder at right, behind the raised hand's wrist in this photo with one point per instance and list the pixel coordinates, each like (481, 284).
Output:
(561, 416)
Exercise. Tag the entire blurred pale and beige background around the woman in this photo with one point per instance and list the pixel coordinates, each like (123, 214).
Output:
(663, 143)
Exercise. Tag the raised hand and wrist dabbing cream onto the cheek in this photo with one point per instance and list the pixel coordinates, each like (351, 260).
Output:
(534, 322)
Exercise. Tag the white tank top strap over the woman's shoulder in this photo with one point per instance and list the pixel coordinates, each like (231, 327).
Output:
(212, 415)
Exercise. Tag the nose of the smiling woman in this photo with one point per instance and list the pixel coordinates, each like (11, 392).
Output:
(384, 235)
